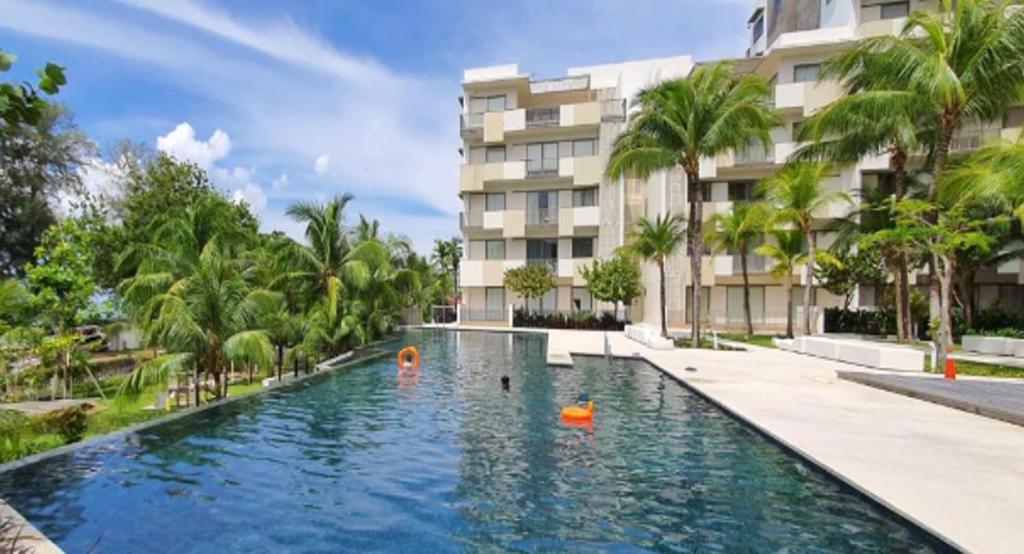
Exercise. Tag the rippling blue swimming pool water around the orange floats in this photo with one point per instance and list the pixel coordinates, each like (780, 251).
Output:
(366, 459)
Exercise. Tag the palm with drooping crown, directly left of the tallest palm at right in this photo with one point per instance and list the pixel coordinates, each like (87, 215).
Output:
(866, 123)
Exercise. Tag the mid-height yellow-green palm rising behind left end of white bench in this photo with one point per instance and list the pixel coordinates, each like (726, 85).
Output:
(797, 198)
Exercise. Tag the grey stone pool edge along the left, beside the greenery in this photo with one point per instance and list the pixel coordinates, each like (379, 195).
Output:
(39, 543)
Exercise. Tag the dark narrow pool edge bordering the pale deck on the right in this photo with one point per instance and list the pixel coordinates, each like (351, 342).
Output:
(824, 470)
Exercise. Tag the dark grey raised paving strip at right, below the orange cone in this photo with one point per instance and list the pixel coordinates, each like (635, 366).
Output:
(1000, 400)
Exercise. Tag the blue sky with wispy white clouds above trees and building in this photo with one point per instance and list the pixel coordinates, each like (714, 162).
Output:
(285, 101)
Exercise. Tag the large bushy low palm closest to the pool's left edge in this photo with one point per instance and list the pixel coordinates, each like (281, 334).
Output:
(206, 320)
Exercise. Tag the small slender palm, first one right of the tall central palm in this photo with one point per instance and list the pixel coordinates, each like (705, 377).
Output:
(738, 231)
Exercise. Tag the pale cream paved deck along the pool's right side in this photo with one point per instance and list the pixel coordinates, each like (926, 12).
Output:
(957, 475)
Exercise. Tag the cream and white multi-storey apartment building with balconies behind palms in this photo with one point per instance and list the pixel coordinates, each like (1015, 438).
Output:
(535, 152)
